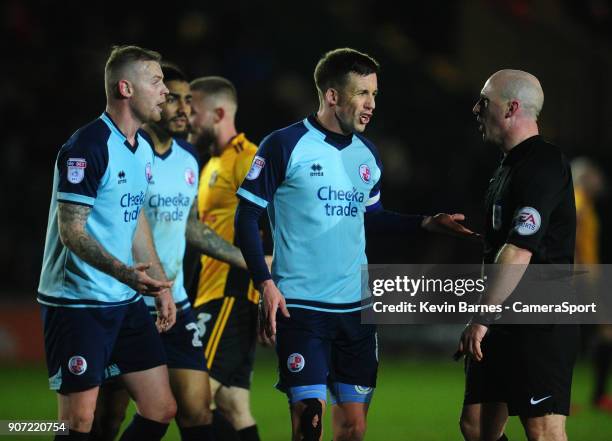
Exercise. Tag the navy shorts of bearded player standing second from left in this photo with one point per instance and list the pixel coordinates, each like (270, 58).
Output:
(183, 344)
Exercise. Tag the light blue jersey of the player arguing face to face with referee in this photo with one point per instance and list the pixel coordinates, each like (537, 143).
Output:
(316, 186)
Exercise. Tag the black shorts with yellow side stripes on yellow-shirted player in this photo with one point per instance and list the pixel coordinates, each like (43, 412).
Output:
(228, 327)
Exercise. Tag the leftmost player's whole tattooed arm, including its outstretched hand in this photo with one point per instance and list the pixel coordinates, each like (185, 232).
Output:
(71, 222)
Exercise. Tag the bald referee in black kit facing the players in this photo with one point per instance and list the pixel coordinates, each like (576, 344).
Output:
(523, 370)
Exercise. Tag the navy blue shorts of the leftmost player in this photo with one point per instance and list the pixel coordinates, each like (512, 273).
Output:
(86, 345)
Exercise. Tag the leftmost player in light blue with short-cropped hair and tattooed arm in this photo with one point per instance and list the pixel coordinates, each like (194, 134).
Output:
(90, 286)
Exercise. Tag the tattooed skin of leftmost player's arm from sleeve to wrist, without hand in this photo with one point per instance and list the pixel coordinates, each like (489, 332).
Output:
(71, 223)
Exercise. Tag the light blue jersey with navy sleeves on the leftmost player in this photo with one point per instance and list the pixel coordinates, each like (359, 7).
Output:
(96, 167)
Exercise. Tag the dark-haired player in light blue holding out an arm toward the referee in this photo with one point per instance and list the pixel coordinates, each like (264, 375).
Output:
(320, 179)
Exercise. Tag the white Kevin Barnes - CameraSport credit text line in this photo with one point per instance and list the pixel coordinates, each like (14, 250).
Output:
(520, 307)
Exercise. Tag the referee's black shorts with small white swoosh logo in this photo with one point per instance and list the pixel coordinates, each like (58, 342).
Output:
(529, 367)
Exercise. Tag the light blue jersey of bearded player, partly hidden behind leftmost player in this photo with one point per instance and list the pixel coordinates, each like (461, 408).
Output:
(169, 198)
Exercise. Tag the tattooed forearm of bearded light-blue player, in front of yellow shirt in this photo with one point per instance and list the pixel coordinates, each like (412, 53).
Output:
(202, 237)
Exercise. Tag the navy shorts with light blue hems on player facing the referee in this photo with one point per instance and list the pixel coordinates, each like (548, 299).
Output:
(319, 350)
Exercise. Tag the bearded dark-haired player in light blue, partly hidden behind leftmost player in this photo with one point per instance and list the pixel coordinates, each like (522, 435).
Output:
(171, 208)
